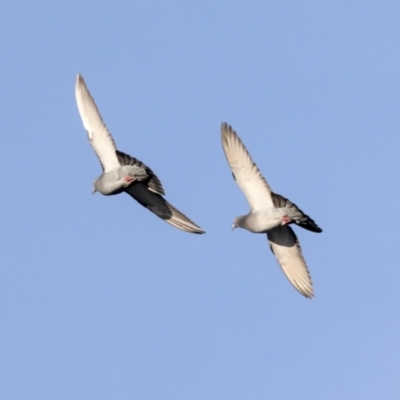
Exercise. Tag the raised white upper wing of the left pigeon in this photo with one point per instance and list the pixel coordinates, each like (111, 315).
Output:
(99, 137)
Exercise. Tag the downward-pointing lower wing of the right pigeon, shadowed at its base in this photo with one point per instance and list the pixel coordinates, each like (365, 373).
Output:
(286, 248)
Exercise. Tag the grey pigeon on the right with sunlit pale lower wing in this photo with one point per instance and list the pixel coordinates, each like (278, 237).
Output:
(269, 213)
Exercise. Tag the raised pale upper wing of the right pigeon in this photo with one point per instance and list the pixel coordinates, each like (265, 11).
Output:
(245, 171)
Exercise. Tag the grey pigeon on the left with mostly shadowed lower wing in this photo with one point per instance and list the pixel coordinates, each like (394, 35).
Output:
(121, 172)
